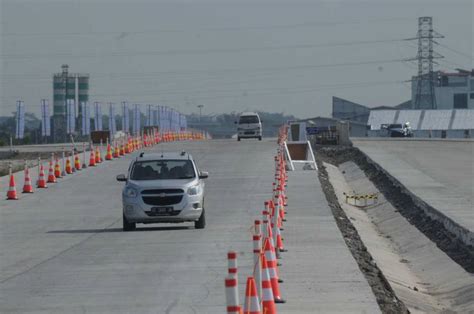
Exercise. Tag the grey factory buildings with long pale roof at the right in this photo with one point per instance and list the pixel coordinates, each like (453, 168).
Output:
(453, 116)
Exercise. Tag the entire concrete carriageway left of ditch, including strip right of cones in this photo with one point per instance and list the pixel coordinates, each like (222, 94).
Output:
(62, 250)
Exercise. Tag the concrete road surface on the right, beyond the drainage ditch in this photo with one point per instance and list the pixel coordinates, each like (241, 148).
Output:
(440, 172)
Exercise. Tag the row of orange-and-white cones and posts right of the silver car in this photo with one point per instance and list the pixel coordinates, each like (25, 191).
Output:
(262, 291)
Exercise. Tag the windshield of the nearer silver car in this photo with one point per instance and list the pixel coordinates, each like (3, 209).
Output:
(163, 170)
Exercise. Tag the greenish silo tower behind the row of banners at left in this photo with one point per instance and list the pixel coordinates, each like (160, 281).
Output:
(66, 85)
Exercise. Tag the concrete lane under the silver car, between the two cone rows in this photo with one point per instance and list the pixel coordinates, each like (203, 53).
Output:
(62, 250)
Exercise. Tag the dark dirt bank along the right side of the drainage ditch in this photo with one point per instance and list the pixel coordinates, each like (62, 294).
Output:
(400, 198)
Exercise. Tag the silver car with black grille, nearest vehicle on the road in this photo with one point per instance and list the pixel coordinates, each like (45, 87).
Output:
(163, 188)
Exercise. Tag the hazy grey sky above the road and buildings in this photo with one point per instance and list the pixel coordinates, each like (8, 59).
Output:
(228, 55)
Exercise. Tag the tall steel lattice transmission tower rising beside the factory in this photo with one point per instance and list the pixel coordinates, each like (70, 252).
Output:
(426, 79)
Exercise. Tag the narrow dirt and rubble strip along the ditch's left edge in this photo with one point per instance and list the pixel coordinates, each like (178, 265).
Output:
(385, 296)
